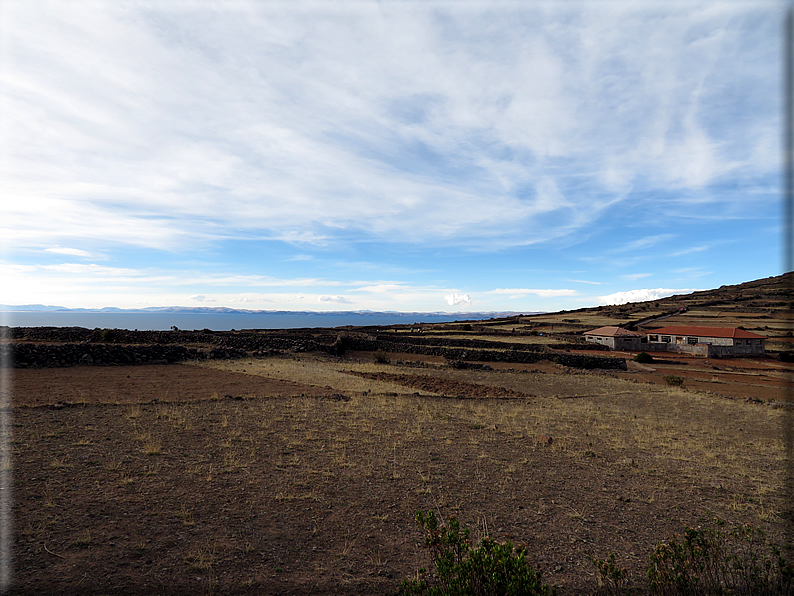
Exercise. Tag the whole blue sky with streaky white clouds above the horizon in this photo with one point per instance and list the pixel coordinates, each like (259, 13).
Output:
(403, 156)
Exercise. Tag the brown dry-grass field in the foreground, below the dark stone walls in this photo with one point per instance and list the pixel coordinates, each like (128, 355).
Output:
(302, 474)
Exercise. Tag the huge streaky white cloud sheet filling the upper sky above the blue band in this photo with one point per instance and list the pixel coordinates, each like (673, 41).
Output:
(469, 125)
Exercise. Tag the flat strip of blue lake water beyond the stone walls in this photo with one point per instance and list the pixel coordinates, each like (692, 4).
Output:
(219, 322)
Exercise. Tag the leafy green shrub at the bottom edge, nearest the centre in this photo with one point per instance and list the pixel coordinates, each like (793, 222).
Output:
(491, 569)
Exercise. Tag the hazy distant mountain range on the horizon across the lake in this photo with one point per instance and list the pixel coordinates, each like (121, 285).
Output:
(216, 310)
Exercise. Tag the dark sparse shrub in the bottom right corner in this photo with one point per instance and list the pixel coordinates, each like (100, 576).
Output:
(710, 561)
